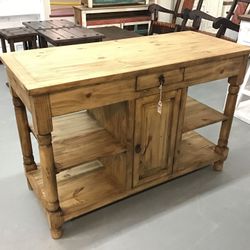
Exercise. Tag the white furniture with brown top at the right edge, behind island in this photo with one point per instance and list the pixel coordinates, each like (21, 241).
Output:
(243, 102)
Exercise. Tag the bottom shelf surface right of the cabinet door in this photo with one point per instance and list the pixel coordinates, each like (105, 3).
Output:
(195, 152)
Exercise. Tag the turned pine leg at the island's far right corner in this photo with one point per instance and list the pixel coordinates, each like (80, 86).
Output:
(221, 147)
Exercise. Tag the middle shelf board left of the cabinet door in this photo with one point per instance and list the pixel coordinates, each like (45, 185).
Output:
(77, 139)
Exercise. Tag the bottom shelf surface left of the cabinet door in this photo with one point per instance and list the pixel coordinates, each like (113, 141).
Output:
(80, 190)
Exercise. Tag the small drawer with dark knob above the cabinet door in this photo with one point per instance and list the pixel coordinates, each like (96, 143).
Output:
(152, 80)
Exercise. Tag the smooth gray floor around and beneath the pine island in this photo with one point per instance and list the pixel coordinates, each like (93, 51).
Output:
(203, 210)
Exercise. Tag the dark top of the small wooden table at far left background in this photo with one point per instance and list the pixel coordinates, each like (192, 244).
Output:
(16, 32)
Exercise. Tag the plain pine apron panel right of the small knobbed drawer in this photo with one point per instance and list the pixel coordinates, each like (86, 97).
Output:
(212, 71)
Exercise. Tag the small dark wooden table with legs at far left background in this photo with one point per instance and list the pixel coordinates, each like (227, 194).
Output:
(19, 34)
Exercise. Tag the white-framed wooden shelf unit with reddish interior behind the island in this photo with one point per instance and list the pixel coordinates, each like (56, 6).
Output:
(133, 17)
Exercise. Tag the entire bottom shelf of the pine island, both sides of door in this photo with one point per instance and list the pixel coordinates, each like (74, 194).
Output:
(90, 186)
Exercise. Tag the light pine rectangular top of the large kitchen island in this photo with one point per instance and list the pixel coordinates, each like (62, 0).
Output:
(60, 68)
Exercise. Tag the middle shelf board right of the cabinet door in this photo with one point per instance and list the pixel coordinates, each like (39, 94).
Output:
(199, 115)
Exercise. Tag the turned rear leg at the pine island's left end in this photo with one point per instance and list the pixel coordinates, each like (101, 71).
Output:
(24, 135)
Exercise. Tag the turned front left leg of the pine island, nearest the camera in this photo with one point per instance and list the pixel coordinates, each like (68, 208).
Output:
(42, 121)
